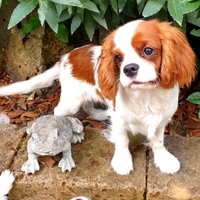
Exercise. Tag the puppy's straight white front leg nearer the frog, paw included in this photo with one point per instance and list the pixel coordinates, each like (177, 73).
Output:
(122, 159)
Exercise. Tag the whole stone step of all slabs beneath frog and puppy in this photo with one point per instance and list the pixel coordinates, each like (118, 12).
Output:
(94, 177)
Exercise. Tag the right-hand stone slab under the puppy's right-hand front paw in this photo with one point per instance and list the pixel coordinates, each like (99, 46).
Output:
(182, 185)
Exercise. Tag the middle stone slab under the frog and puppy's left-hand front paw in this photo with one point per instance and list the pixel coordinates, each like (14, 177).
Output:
(92, 177)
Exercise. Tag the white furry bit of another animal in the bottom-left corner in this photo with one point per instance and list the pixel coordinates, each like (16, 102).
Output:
(6, 181)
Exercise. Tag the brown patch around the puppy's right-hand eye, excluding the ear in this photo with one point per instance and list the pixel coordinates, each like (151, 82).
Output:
(147, 37)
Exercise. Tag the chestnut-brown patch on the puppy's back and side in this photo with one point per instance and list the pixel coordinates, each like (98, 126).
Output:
(82, 65)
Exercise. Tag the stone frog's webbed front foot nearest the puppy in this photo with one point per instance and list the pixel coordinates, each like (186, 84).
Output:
(67, 162)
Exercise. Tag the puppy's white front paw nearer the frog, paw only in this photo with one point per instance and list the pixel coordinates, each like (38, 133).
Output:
(122, 162)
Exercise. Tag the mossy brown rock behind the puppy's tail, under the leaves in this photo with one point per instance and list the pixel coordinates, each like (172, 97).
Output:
(24, 54)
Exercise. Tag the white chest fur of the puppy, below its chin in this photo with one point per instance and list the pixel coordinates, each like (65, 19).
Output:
(140, 110)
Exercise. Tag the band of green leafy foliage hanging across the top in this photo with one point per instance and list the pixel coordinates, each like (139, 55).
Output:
(109, 14)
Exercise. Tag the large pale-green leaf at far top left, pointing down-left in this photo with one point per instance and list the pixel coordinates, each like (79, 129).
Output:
(21, 11)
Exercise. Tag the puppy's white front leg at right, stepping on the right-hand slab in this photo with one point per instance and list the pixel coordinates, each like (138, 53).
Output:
(162, 158)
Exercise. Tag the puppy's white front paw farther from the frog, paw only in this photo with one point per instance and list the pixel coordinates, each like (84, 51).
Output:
(166, 161)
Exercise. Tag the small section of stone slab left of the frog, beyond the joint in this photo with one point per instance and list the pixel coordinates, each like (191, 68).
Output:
(10, 138)
